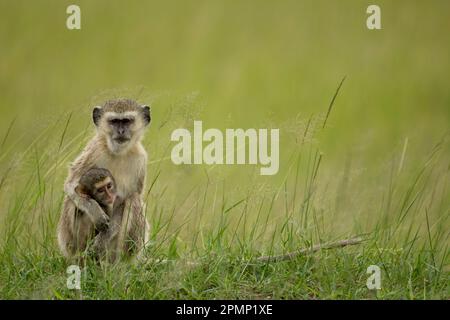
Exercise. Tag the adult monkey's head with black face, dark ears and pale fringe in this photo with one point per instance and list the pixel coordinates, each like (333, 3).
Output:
(122, 122)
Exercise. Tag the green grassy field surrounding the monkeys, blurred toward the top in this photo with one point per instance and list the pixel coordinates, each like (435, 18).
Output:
(379, 167)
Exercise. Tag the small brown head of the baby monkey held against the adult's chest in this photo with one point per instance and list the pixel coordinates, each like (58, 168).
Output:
(98, 184)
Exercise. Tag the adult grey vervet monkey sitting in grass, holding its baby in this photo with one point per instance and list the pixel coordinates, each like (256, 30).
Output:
(117, 147)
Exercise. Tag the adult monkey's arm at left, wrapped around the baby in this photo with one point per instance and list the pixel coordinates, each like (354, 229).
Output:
(89, 206)
